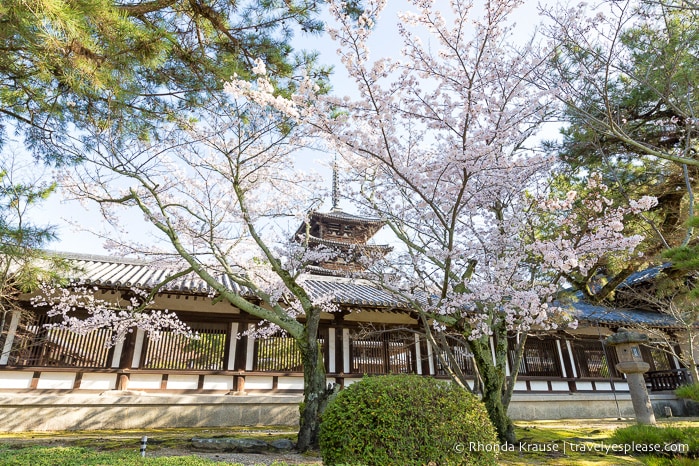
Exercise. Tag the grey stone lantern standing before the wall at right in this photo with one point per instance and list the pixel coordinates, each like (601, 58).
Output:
(631, 364)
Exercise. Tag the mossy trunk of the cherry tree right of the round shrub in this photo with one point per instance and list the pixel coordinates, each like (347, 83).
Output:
(493, 380)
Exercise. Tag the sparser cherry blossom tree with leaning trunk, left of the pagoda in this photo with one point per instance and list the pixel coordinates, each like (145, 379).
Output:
(217, 192)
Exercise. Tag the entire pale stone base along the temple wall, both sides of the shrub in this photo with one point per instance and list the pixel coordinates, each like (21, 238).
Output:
(126, 410)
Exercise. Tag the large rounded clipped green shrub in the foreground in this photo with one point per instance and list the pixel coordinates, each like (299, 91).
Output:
(407, 420)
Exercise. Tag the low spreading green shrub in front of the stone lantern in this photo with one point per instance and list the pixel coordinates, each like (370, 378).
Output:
(664, 441)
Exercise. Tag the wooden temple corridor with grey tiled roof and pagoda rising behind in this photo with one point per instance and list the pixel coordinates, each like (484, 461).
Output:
(228, 378)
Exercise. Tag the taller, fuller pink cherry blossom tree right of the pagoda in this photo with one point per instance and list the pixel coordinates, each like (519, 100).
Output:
(438, 144)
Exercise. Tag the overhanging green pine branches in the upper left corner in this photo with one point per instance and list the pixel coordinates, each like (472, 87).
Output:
(129, 66)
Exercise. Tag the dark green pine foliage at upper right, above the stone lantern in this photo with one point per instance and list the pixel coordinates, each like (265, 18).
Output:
(650, 95)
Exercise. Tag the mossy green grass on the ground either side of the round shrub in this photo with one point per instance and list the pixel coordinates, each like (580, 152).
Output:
(570, 442)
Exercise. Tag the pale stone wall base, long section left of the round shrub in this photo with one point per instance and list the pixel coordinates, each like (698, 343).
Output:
(121, 410)
